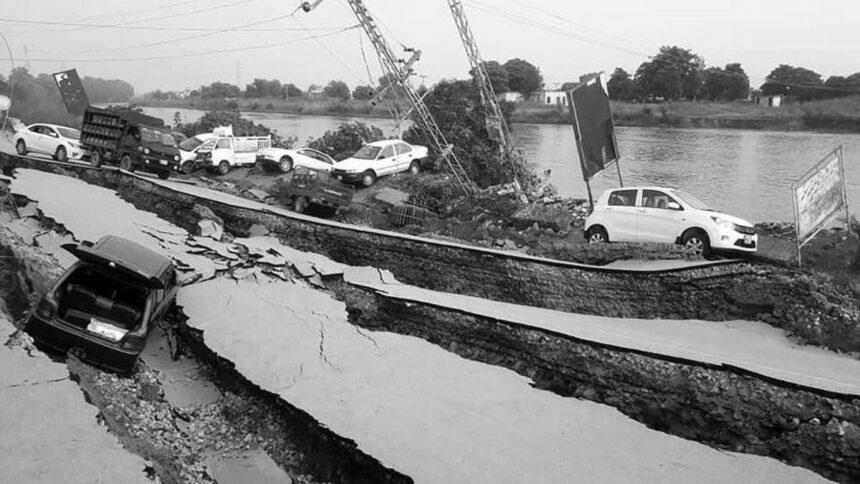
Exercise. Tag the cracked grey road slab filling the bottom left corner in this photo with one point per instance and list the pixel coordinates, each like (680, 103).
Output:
(48, 432)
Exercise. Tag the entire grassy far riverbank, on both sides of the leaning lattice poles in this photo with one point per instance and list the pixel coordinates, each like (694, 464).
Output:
(838, 115)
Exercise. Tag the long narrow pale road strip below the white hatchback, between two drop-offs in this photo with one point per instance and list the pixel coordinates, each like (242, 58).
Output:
(751, 346)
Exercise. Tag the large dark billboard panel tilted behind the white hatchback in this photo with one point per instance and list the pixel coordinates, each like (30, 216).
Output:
(592, 126)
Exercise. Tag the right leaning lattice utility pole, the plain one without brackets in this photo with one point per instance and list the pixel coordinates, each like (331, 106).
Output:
(497, 128)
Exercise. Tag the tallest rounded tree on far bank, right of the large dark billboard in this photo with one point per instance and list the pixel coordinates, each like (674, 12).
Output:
(674, 73)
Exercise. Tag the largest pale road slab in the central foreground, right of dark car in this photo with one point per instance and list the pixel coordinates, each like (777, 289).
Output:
(432, 415)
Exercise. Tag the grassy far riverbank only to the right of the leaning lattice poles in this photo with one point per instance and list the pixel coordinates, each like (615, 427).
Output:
(841, 115)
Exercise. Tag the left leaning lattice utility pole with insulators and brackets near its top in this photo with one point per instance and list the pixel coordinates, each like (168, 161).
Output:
(398, 71)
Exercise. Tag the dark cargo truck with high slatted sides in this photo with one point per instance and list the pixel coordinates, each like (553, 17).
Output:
(133, 140)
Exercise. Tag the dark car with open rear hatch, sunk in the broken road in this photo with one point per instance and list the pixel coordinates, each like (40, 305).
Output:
(105, 305)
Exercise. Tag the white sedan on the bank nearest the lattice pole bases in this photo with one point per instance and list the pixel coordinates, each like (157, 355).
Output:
(378, 159)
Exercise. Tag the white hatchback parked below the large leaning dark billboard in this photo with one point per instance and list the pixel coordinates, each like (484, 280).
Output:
(657, 214)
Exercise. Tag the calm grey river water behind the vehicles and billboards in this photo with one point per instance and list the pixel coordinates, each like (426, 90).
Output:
(744, 172)
